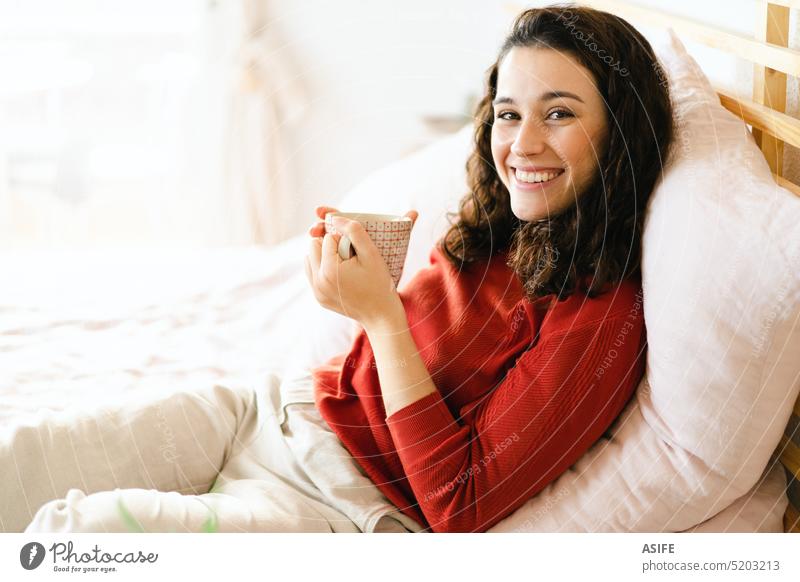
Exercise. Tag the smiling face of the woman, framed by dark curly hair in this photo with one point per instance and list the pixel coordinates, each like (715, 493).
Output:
(548, 132)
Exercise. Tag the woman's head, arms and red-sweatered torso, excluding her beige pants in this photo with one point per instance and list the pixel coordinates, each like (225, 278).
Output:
(524, 339)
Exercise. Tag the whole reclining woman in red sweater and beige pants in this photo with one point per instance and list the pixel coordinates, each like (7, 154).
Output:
(464, 394)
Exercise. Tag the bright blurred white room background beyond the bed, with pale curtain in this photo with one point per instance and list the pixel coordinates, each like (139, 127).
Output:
(197, 123)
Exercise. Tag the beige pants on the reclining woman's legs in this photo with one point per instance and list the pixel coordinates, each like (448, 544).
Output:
(227, 459)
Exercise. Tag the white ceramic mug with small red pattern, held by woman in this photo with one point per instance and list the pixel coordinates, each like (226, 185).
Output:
(389, 232)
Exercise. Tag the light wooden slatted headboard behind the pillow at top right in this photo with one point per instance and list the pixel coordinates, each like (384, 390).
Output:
(767, 50)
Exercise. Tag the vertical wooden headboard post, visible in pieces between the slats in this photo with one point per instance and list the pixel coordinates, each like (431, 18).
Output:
(769, 85)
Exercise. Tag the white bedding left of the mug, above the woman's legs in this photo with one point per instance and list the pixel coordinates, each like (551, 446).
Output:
(79, 328)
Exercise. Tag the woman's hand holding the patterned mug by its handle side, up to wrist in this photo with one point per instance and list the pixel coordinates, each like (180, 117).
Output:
(361, 287)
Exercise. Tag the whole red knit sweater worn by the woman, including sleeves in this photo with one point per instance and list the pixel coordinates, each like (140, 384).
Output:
(523, 390)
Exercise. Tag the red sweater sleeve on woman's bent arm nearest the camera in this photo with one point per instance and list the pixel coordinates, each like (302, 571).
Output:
(551, 406)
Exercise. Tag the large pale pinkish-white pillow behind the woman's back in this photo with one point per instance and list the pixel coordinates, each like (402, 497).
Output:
(721, 251)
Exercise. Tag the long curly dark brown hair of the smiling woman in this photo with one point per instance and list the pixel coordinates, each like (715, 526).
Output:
(554, 255)
